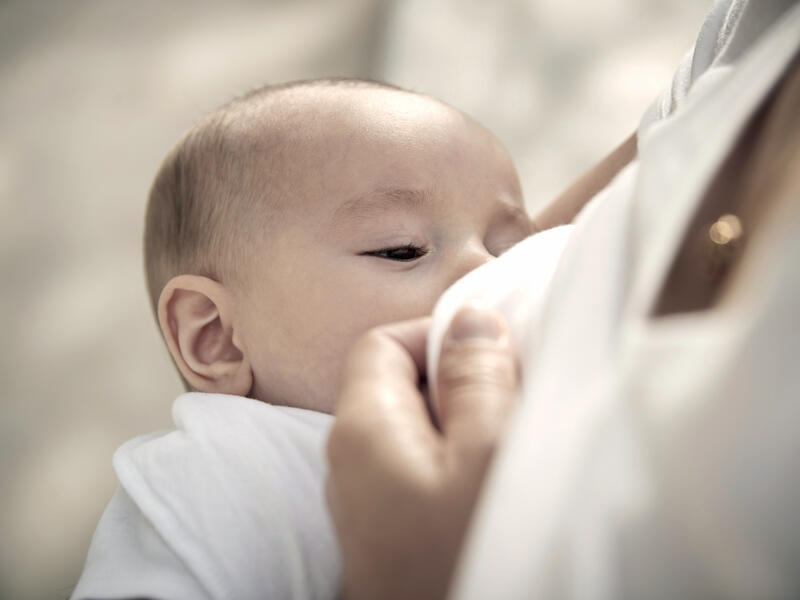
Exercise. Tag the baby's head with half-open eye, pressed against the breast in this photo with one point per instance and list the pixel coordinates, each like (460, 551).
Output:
(296, 217)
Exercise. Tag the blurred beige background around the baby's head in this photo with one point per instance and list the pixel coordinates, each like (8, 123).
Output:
(93, 94)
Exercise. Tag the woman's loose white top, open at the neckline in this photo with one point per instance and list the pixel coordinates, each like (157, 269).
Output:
(658, 457)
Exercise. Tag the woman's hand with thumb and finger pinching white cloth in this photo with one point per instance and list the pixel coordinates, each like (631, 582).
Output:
(400, 490)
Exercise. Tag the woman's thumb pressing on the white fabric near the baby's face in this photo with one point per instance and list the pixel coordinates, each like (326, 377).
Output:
(476, 379)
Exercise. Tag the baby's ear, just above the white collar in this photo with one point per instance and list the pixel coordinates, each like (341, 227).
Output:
(196, 315)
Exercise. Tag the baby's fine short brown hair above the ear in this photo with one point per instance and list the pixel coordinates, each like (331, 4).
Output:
(208, 189)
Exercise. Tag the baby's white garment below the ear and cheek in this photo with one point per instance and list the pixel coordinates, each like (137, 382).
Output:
(229, 505)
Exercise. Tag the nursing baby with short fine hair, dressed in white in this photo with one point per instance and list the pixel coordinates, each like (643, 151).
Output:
(279, 229)
